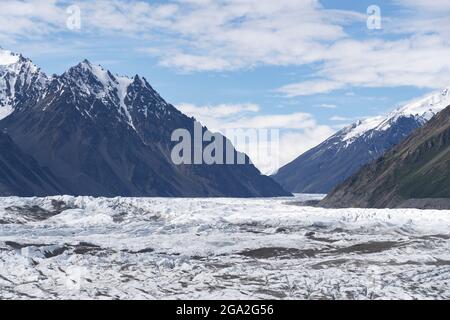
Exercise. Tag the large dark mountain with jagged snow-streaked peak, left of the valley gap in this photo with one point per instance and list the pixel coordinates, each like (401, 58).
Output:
(104, 135)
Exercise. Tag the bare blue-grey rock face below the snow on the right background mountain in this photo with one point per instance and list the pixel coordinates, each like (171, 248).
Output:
(322, 168)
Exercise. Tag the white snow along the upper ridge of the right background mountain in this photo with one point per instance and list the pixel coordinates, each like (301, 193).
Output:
(423, 109)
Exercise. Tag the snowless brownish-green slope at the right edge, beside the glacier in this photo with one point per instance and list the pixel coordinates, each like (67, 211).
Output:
(416, 173)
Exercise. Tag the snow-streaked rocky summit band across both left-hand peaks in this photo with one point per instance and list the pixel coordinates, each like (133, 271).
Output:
(20, 79)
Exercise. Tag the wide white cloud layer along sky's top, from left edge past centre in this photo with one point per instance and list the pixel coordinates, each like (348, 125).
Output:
(197, 35)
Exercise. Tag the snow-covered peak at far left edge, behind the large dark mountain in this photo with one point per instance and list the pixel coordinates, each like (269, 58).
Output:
(20, 82)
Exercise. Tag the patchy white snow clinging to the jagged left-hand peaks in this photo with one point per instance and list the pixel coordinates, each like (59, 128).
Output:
(16, 71)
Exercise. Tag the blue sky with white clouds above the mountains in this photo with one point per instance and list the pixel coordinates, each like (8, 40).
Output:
(304, 67)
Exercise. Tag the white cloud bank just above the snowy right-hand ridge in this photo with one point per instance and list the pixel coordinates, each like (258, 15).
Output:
(418, 61)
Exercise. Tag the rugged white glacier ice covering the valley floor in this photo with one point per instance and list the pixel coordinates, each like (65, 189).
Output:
(154, 248)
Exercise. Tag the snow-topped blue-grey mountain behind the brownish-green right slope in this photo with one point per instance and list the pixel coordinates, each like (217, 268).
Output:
(320, 169)
